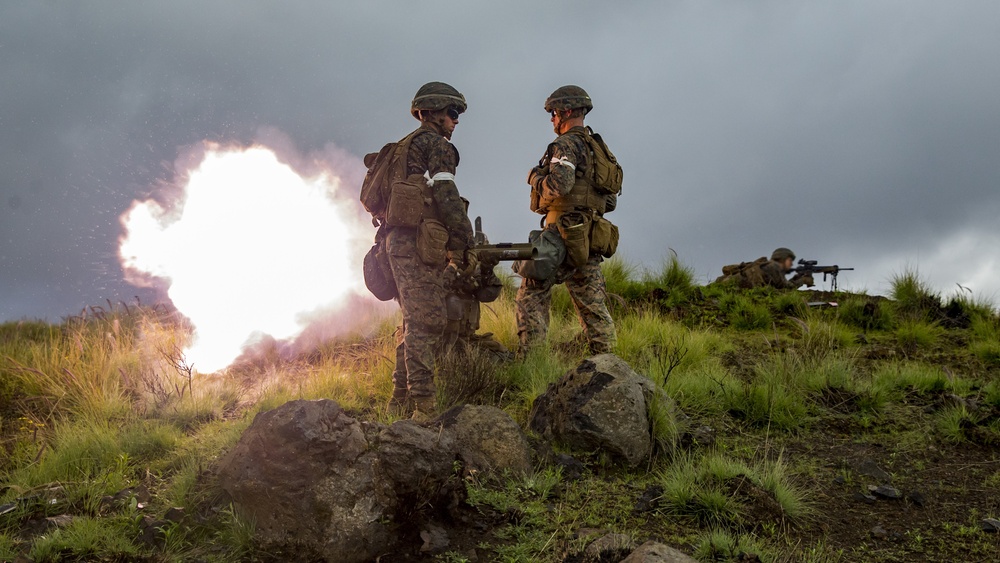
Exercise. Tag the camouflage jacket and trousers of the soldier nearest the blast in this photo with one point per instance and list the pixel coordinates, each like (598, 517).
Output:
(422, 287)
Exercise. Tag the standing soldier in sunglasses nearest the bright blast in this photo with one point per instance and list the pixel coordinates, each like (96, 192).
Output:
(417, 255)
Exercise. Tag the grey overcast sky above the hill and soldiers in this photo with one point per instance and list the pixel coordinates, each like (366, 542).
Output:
(862, 133)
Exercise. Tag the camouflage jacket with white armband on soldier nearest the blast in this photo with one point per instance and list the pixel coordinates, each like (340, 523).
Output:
(430, 152)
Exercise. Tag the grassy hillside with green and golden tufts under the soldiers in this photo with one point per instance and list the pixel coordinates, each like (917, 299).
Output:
(792, 412)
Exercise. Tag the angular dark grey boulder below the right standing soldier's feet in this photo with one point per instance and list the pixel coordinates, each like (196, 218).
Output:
(601, 405)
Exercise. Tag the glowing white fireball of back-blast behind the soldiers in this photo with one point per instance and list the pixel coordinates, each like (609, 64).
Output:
(248, 248)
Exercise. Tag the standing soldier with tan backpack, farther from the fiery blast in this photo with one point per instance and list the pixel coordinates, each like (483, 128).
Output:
(563, 190)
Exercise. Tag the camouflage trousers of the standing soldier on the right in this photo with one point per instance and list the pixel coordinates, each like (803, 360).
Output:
(588, 292)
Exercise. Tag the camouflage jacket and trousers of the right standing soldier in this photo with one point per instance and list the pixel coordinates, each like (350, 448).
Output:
(570, 159)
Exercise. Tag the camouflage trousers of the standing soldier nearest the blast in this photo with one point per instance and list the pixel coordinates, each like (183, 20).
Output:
(421, 298)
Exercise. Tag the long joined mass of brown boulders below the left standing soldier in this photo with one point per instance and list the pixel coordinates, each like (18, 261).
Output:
(321, 485)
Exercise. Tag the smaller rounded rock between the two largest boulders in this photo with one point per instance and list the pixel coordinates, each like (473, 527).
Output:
(488, 440)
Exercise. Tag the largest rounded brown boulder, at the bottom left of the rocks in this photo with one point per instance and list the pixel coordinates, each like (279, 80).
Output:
(304, 472)
